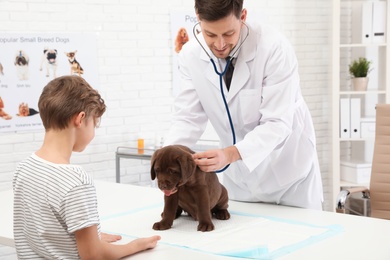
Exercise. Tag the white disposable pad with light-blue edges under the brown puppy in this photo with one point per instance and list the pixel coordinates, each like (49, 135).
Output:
(243, 235)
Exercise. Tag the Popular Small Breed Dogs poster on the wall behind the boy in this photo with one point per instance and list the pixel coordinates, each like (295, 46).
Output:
(29, 61)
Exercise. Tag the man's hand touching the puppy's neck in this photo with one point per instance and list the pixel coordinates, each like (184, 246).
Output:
(213, 160)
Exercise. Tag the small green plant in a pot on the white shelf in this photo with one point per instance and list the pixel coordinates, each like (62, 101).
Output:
(359, 70)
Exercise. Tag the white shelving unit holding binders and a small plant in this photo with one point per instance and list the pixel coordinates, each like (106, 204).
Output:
(349, 43)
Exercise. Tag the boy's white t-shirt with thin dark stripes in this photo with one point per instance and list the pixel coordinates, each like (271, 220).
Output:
(51, 202)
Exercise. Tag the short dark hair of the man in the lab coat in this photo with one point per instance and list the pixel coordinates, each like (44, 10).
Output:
(214, 10)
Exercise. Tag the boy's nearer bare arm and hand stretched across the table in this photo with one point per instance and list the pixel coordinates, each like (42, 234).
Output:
(91, 247)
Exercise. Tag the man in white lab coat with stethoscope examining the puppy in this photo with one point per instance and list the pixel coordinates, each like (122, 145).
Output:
(274, 157)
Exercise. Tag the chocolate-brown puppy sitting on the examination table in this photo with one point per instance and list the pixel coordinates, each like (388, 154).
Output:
(186, 187)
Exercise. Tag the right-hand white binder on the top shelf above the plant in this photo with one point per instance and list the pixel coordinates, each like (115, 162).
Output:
(378, 21)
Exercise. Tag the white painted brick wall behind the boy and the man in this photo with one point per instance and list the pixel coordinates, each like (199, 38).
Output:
(134, 56)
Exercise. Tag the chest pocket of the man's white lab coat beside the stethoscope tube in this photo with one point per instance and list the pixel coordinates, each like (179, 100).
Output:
(250, 101)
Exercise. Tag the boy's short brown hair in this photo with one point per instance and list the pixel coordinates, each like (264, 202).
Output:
(66, 96)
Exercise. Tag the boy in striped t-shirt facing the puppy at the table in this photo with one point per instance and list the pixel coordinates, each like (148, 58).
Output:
(55, 205)
